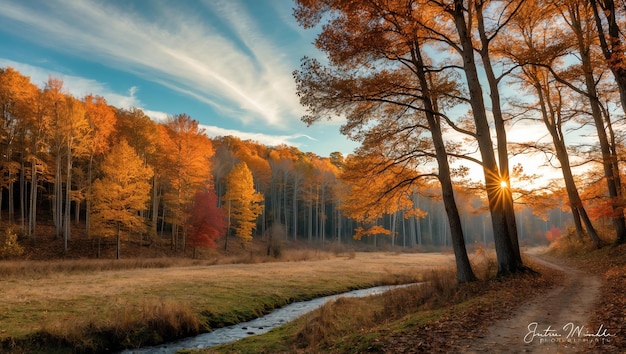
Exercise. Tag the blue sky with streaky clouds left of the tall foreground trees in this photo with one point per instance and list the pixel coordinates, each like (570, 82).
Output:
(226, 63)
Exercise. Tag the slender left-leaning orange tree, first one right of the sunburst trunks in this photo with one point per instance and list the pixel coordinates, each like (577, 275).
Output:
(536, 47)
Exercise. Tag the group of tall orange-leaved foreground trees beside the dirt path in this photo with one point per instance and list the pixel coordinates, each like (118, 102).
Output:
(409, 74)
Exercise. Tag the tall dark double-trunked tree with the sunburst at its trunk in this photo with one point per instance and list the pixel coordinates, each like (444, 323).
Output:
(458, 26)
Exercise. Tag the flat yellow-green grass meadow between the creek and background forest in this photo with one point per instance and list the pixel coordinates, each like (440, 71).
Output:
(93, 306)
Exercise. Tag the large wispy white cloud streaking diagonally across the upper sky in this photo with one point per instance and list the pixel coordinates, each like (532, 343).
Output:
(181, 51)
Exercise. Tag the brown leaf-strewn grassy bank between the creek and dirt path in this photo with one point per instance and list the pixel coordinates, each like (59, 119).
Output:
(382, 323)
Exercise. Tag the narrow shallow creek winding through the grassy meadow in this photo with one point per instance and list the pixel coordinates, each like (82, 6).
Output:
(259, 325)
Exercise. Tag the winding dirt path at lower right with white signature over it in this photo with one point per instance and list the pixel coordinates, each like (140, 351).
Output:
(556, 322)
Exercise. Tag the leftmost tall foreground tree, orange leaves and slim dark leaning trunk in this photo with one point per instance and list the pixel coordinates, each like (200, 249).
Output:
(380, 77)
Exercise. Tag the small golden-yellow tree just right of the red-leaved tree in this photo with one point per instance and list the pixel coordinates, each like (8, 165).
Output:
(242, 202)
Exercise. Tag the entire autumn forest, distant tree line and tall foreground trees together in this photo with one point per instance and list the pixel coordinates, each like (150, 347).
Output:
(433, 89)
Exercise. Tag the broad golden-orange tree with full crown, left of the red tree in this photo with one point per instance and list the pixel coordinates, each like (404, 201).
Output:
(122, 192)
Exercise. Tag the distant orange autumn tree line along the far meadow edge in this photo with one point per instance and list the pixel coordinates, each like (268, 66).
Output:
(70, 161)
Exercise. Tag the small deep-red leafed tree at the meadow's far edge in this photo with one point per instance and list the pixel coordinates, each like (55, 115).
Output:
(207, 221)
